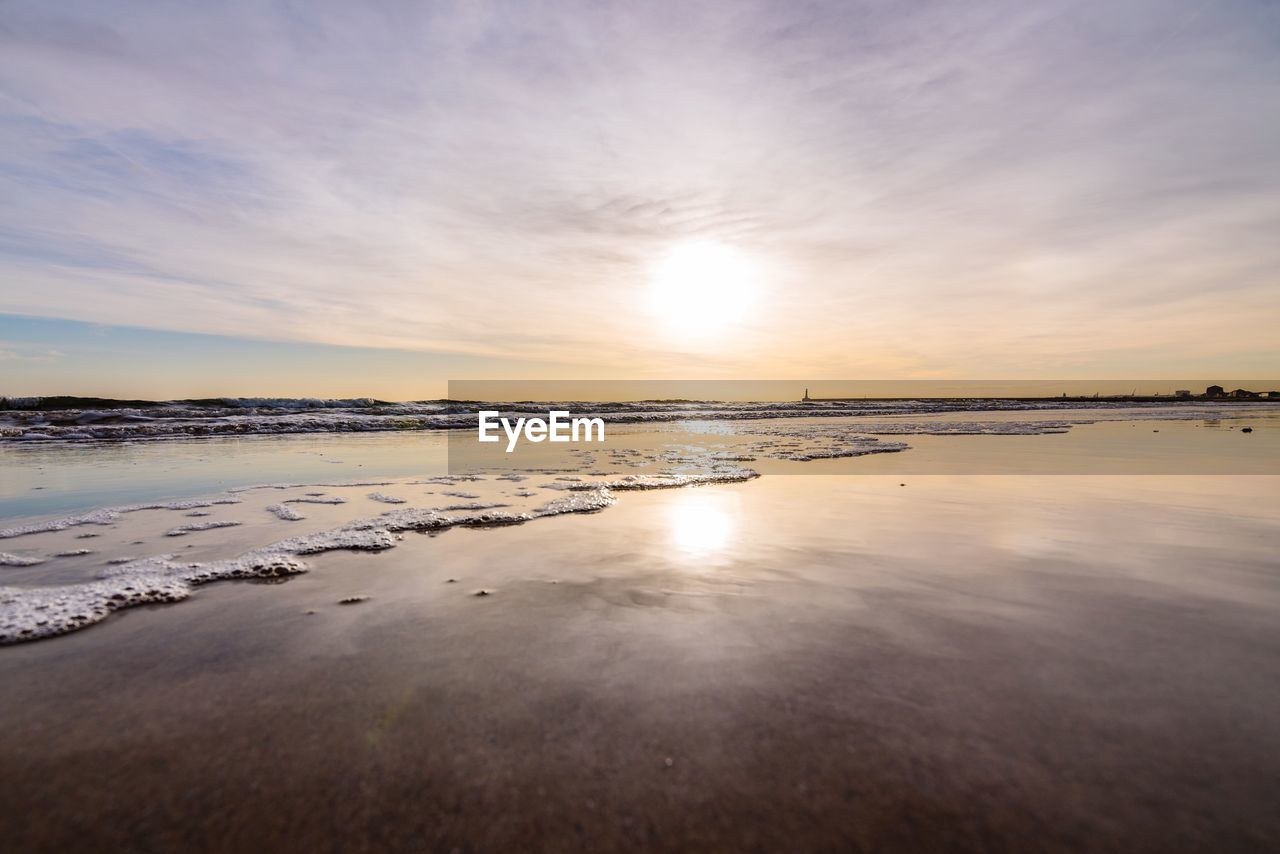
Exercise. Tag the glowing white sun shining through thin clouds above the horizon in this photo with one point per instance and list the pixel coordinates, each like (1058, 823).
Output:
(703, 287)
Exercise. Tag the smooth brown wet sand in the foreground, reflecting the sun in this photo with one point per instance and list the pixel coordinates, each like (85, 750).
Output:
(792, 664)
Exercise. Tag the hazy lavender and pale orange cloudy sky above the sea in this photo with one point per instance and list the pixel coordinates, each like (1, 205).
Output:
(373, 199)
